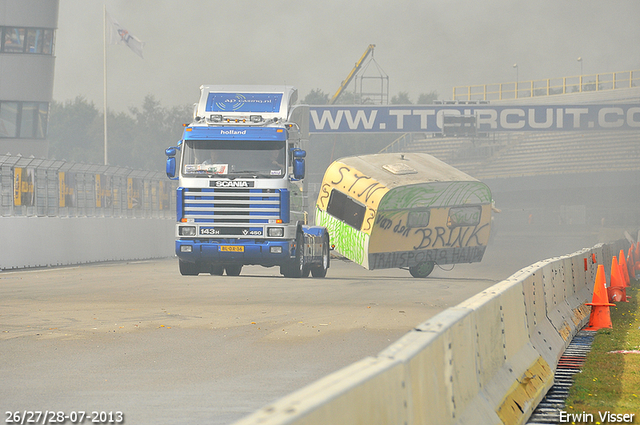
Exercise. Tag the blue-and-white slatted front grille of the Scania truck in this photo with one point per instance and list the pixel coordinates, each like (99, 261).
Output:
(231, 205)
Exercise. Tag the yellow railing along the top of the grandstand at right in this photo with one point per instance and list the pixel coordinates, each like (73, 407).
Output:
(549, 86)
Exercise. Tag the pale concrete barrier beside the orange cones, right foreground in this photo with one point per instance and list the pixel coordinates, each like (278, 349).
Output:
(489, 360)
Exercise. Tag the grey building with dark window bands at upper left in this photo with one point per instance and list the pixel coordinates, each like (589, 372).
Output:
(27, 57)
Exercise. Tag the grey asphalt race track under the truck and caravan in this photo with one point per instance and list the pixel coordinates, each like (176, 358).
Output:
(139, 338)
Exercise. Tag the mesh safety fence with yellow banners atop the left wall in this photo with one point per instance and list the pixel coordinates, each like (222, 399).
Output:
(36, 187)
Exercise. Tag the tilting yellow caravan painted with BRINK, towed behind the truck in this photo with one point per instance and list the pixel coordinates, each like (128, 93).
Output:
(404, 210)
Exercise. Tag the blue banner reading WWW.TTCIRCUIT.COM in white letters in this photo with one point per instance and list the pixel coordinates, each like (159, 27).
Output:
(429, 118)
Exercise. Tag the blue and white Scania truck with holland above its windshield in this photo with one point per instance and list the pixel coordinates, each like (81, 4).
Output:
(240, 197)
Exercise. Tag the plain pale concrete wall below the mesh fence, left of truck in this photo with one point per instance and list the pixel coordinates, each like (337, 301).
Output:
(54, 241)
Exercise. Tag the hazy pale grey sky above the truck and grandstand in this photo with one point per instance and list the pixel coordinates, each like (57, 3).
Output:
(423, 45)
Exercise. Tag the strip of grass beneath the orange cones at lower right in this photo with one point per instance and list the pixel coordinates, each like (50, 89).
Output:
(611, 381)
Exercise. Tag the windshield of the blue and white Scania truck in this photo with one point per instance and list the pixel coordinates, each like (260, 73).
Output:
(234, 158)
